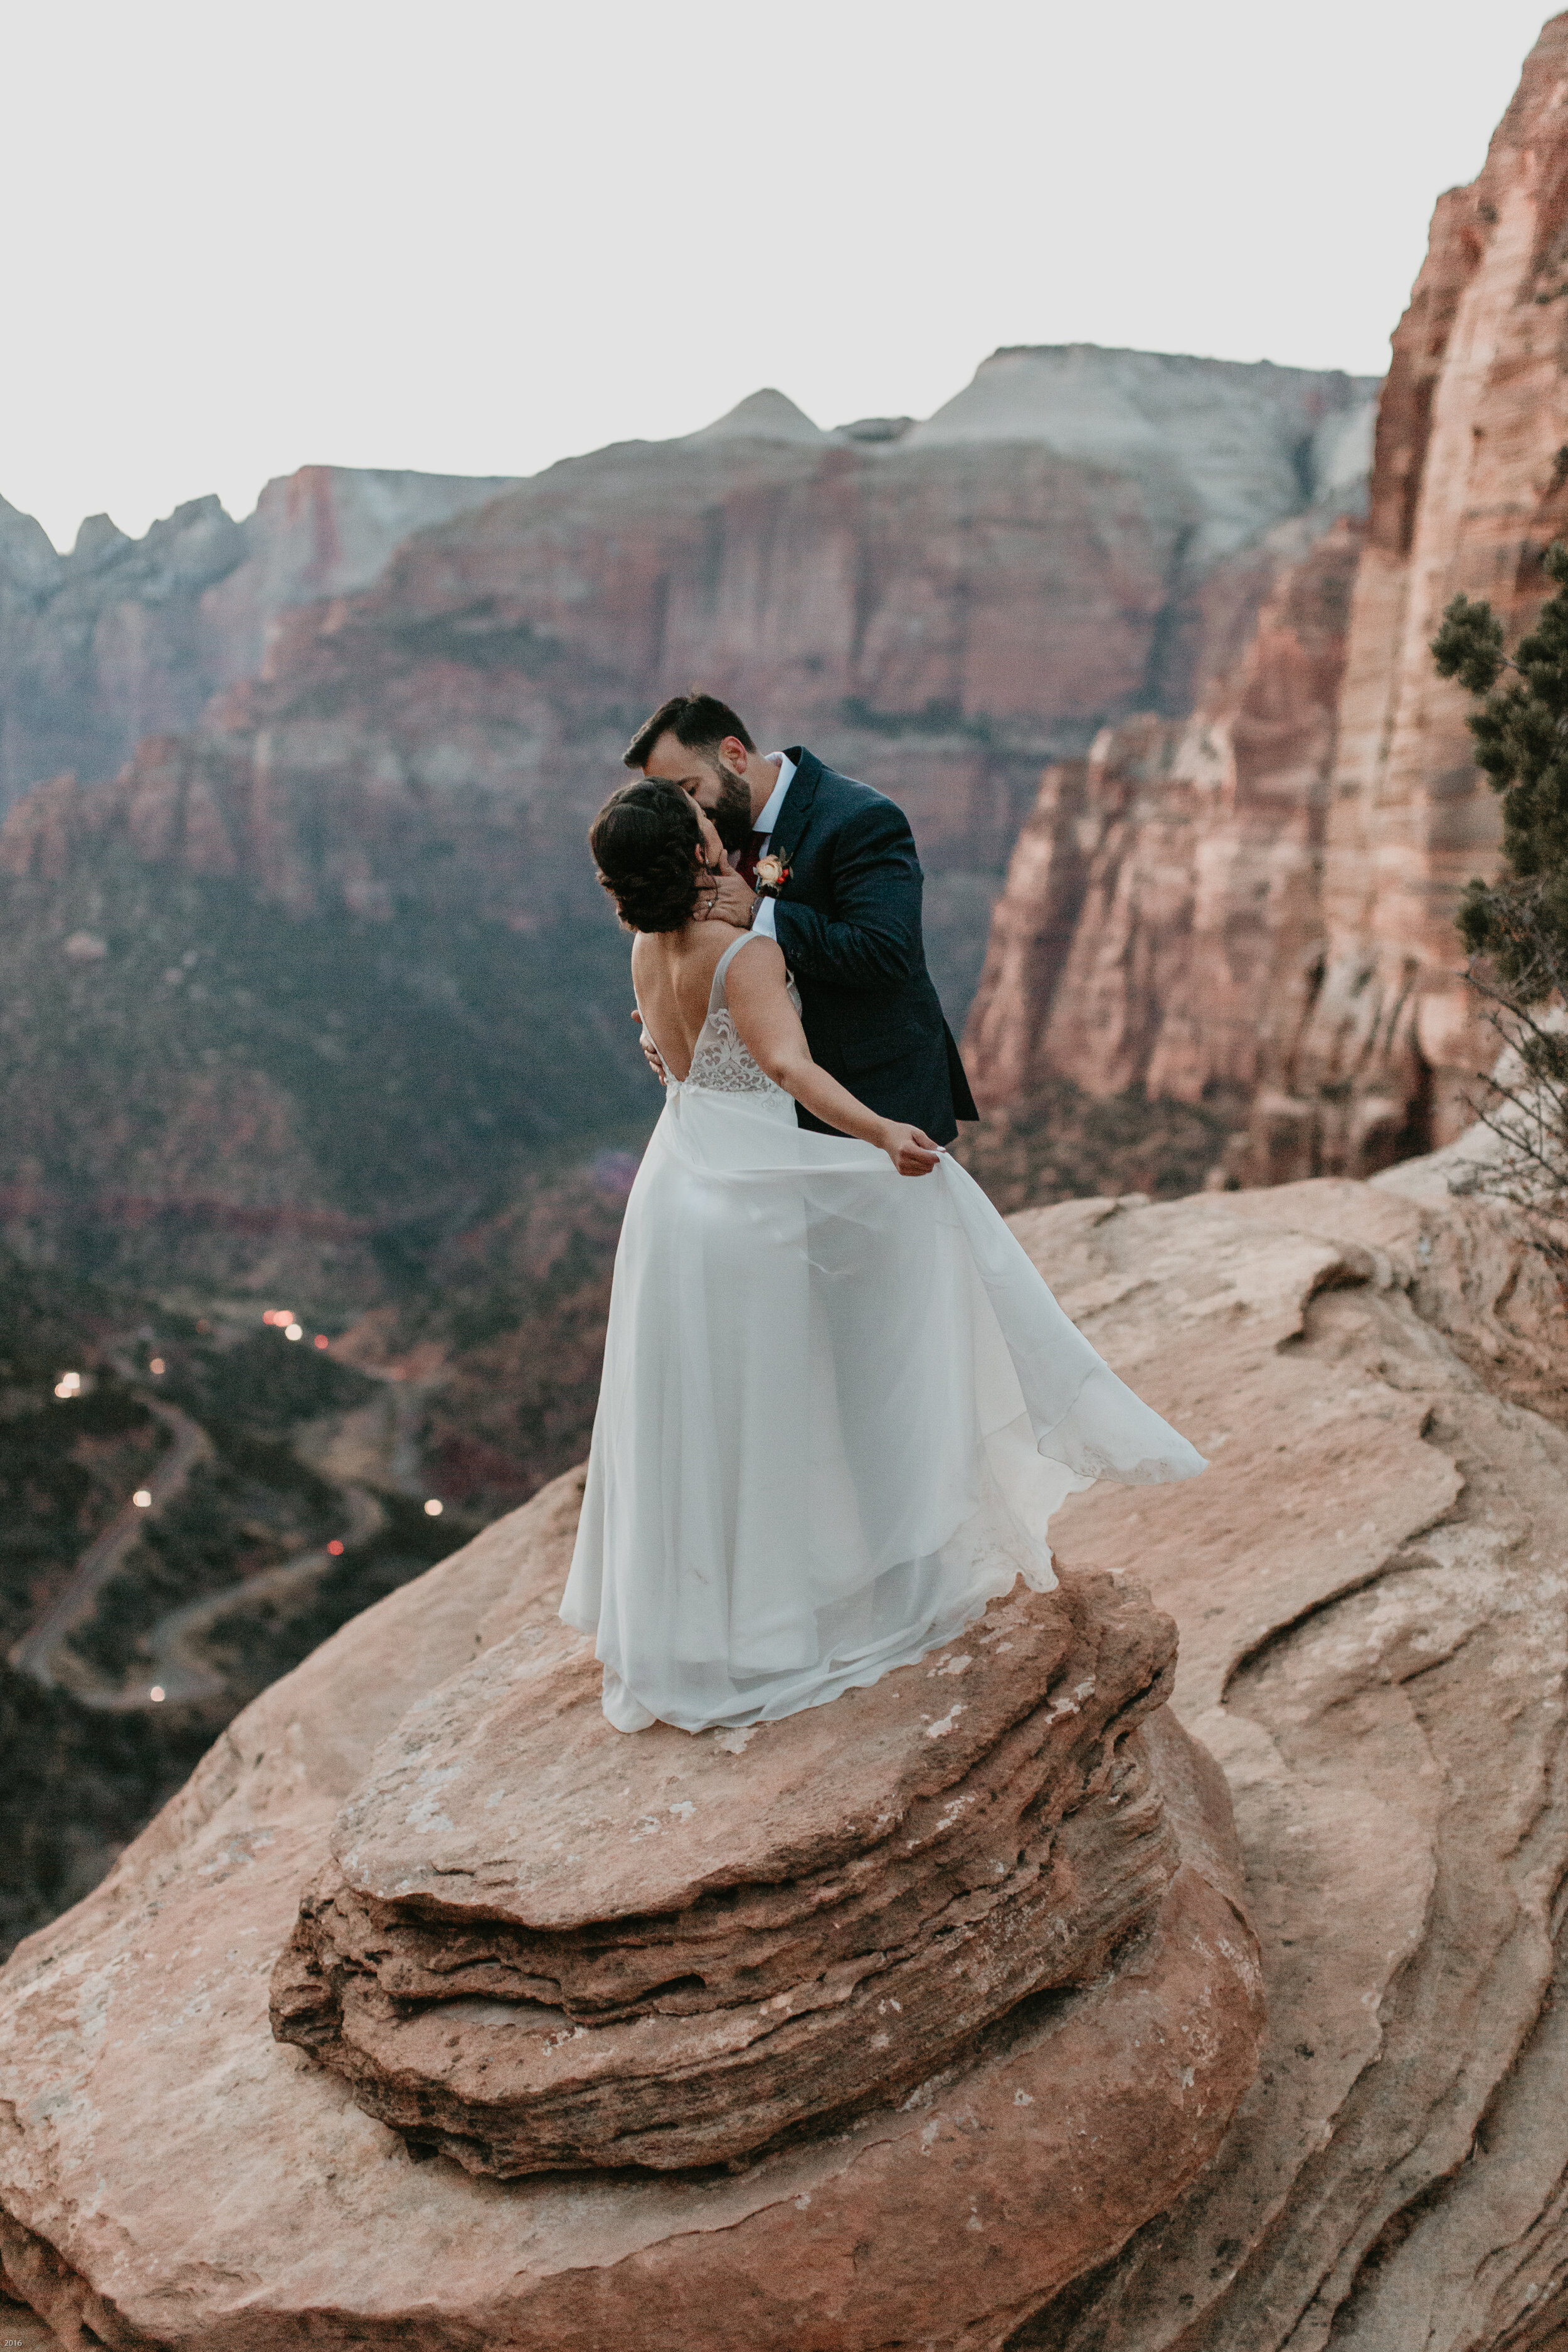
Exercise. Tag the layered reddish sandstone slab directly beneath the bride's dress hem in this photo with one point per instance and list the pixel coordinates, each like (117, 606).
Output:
(826, 1913)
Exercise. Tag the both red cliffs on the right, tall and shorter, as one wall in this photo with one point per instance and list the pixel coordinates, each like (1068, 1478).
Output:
(1259, 907)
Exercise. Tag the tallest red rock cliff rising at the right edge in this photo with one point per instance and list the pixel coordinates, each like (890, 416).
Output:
(1468, 490)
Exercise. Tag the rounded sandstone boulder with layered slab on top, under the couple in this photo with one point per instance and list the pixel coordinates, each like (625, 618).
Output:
(864, 2029)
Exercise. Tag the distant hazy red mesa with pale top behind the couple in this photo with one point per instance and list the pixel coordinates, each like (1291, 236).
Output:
(937, 606)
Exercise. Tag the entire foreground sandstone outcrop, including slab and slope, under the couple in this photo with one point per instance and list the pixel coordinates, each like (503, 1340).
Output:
(932, 2017)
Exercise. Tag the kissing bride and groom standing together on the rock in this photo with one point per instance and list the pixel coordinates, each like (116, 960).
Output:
(838, 1401)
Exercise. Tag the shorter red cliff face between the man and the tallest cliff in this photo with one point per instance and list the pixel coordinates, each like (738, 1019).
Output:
(1162, 904)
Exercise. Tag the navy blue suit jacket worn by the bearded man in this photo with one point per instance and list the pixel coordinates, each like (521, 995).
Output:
(850, 930)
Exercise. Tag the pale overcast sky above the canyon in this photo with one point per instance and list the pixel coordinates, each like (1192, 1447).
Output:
(485, 234)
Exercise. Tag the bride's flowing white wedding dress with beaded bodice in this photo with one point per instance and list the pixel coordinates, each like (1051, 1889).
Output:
(838, 1412)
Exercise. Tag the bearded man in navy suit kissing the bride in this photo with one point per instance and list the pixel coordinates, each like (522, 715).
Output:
(840, 895)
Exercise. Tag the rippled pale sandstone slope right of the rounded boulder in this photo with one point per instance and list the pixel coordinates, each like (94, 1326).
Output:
(1372, 1586)
